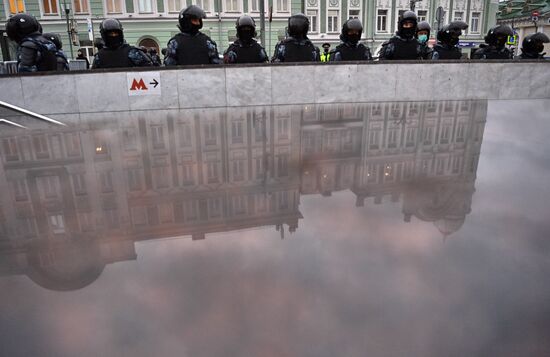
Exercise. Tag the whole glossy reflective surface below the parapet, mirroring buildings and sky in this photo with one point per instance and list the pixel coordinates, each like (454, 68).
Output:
(375, 229)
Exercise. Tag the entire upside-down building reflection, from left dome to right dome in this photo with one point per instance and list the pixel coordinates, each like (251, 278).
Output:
(76, 199)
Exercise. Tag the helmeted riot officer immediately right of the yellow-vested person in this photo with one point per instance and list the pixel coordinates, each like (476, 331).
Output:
(351, 49)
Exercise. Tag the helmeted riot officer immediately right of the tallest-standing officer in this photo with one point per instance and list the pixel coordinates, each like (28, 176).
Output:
(245, 49)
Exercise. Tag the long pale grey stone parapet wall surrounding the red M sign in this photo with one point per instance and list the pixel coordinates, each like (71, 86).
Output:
(279, 84)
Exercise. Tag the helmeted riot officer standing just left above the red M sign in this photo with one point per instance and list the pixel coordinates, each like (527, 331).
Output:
(117, 53)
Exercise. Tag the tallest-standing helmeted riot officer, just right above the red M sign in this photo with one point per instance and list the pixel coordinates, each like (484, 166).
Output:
(191, 46)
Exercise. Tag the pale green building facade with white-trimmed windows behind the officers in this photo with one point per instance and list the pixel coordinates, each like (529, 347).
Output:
(153, 22)
